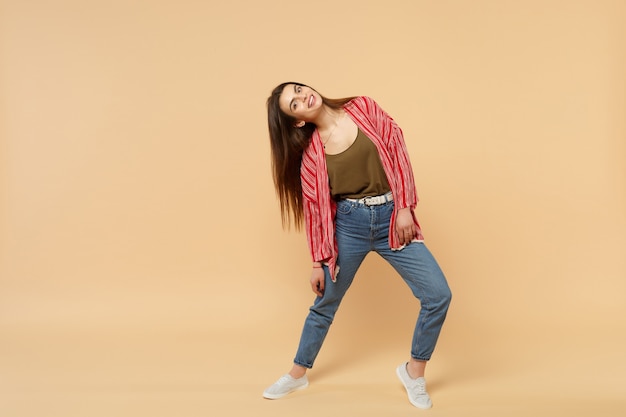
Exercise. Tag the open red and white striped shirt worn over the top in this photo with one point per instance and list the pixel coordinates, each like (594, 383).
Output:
(319, 207)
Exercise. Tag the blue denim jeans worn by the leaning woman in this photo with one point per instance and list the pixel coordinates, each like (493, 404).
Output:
(359, 230)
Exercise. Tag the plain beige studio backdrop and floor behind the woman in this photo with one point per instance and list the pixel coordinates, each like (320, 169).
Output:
(143, 268)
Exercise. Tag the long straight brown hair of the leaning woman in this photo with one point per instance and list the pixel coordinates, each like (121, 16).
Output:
(288, 143)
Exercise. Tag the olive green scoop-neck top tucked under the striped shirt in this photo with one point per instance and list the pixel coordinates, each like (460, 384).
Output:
(357, 172)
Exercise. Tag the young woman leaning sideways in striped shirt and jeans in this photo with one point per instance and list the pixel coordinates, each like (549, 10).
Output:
(342, 170)
